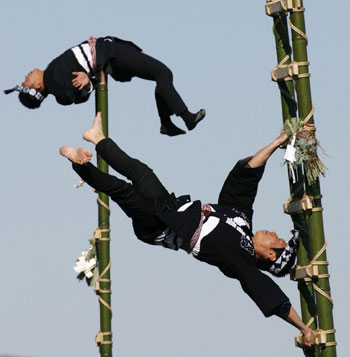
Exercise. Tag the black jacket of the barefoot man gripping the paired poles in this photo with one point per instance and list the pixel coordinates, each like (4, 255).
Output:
(229, 245)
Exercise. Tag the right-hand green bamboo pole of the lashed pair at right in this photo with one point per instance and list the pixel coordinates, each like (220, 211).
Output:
(324, 306)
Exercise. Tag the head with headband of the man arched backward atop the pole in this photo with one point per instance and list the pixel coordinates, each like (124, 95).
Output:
(31, 92)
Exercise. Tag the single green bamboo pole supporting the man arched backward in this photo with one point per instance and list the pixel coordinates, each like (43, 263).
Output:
(103, 223)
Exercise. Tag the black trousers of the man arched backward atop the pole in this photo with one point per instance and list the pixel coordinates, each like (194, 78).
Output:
(138, 64)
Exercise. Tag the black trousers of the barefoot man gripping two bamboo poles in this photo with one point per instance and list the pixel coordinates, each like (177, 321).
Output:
(139, 199)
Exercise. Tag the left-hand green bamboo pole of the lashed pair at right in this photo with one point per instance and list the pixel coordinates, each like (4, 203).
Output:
(289, 110)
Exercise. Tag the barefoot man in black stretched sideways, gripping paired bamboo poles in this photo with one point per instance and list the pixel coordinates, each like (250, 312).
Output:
(218, 234)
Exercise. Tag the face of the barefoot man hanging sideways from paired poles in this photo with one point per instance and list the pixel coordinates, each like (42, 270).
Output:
(265, 241)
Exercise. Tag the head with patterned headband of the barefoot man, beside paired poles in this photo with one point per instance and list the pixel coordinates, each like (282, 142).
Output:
(273, 253)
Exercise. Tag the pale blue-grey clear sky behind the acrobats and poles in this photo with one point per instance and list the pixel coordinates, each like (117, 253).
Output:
(164, 303)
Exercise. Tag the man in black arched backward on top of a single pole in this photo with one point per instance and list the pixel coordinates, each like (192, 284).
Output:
(71, 77)
